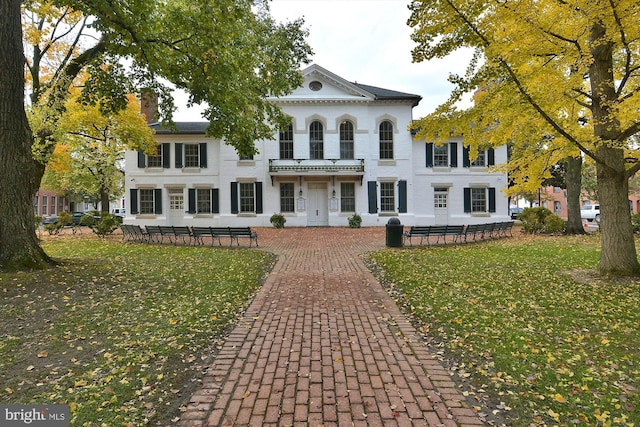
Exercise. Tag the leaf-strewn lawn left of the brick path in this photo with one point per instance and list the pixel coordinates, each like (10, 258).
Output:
(119, 332)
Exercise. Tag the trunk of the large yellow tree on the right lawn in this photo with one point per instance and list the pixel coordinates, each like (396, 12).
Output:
(618, 250)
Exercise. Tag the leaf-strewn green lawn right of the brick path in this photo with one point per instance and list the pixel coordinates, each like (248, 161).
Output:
(528, 324)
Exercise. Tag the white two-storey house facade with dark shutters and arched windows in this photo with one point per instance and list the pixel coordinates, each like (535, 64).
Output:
(346, 151)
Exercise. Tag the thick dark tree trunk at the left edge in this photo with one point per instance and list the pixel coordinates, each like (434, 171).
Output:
(19, 247)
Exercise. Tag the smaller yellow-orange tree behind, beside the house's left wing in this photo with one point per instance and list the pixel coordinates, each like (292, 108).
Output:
(90, 152)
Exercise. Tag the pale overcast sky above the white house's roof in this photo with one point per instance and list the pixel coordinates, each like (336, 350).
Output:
(369, 42)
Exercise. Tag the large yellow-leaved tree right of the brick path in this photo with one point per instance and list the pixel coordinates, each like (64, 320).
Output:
(557, 80)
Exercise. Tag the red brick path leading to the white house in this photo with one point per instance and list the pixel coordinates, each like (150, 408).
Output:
(322, 344)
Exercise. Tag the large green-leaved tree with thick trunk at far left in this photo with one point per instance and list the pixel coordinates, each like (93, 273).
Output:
(226, 54)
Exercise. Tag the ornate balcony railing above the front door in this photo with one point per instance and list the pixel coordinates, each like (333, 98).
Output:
(324, 166)
